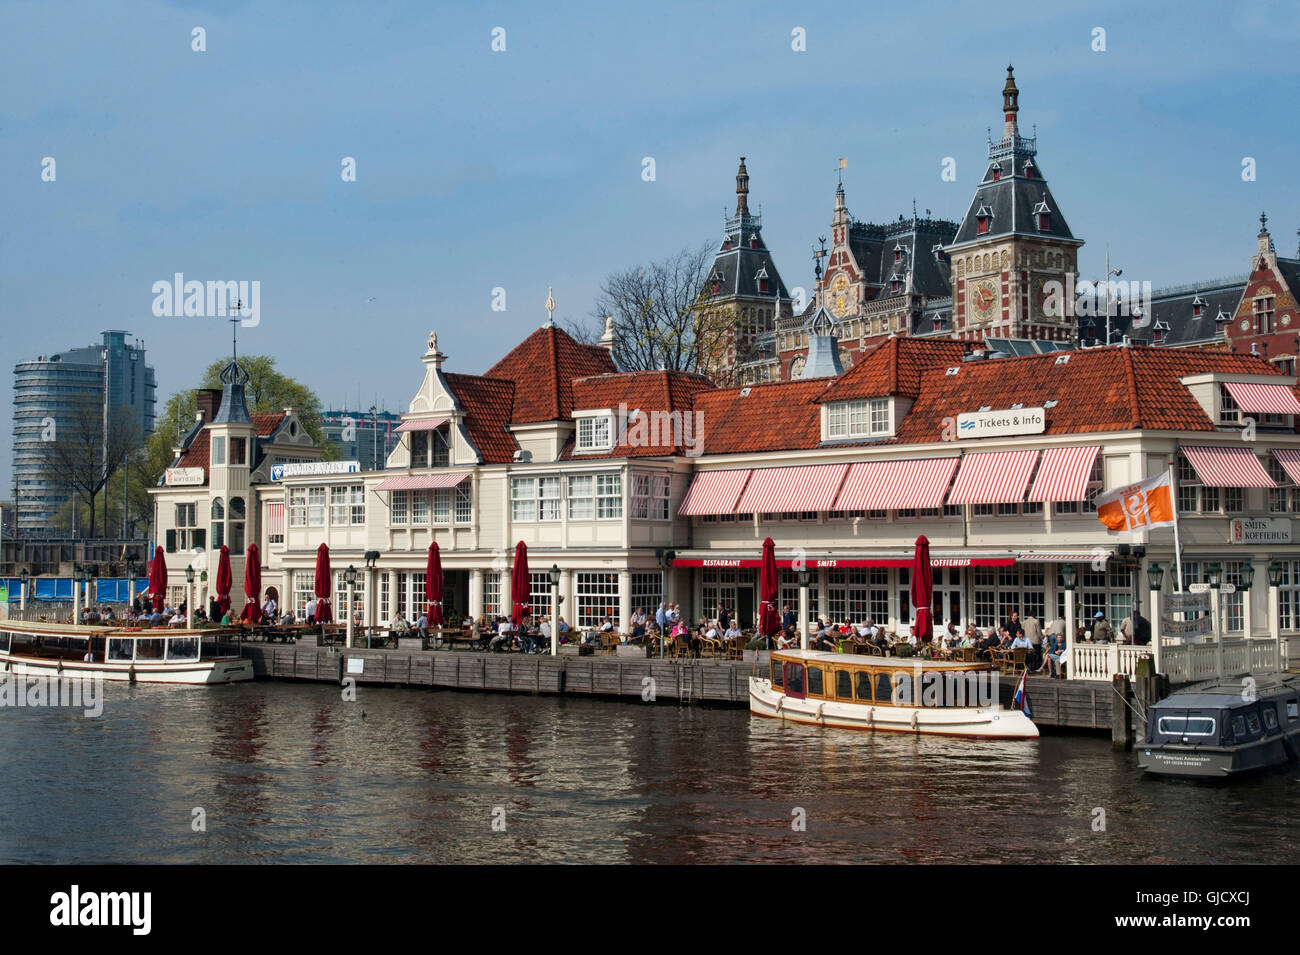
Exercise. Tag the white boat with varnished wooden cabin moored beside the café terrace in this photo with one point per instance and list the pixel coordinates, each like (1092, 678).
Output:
(887, 694)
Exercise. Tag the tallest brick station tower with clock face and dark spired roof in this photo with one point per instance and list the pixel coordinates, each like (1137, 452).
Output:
(1013, 250)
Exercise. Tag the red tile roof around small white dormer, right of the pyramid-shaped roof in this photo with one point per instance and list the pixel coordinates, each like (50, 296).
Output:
(649, 393)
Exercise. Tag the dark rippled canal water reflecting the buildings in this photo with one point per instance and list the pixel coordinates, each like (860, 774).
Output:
(292, 774)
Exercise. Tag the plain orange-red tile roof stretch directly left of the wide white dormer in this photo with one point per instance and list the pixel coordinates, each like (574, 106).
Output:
(761, 418)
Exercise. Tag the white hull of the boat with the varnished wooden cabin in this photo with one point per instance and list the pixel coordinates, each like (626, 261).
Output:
(982, 723)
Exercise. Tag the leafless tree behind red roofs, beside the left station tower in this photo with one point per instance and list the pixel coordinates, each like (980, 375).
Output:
(662, 314)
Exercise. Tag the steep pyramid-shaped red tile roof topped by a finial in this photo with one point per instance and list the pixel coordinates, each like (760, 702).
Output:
(544, 367)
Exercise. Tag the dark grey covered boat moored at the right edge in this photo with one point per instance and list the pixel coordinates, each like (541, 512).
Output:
(1224, 728)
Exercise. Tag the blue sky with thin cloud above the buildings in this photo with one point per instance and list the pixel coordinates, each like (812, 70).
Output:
(522, 170)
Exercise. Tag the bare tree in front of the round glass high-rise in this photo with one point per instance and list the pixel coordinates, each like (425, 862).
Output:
(75, 459)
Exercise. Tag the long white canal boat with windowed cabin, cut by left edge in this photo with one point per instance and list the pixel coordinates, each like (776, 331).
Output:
(138, 657)
